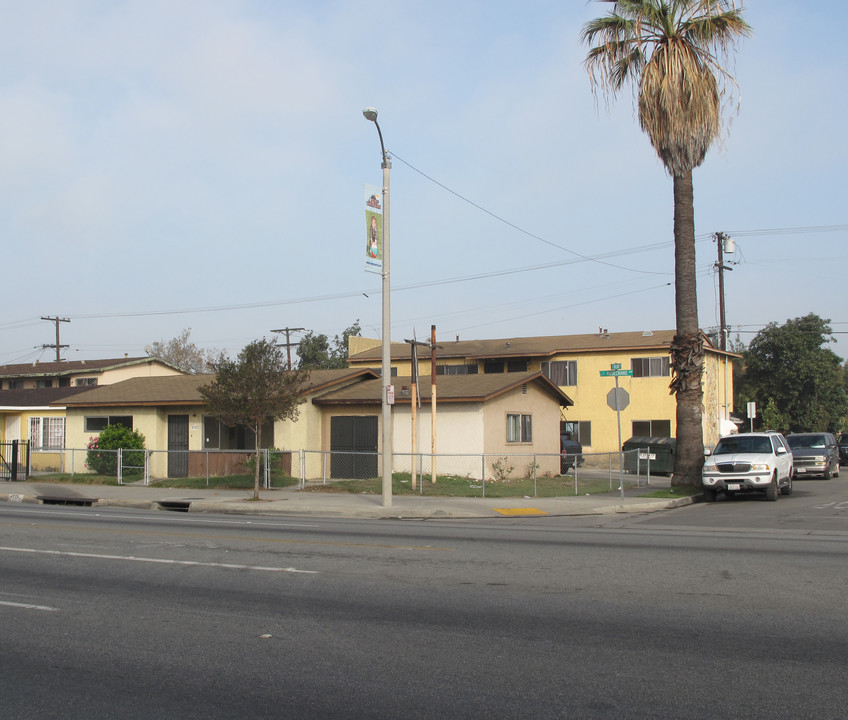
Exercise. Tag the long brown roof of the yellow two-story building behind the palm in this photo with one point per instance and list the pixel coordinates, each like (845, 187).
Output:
(538, 347)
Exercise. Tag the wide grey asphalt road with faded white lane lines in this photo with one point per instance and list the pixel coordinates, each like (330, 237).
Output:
(687, 614)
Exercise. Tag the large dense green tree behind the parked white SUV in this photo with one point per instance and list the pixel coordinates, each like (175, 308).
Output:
(794, 378)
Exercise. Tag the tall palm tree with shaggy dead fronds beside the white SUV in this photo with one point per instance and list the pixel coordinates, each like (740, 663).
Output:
(672, 51)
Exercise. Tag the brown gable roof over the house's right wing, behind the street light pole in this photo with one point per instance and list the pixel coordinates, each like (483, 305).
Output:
(450, 388)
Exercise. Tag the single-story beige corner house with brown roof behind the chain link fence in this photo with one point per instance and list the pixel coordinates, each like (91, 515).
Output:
(341, 413)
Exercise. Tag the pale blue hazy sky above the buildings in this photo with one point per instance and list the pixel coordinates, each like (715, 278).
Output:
(173, 164)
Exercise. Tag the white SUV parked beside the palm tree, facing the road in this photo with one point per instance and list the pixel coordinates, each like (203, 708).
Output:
(749, 462)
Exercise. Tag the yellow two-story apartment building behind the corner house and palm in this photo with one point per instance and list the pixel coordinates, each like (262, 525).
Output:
(574, 363)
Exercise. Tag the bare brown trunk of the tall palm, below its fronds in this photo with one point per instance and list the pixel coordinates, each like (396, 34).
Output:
(687, 354)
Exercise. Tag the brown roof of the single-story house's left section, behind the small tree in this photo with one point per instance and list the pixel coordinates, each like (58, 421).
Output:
(182, 389)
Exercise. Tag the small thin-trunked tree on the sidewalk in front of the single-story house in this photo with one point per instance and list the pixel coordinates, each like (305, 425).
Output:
(254, 389)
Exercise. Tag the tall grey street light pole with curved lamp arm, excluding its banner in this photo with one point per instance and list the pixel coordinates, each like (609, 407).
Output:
(386, 370)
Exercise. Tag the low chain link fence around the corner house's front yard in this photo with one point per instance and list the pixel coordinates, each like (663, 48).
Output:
(460, 475)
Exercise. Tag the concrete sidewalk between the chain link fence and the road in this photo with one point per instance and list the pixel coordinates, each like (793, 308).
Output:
(290, 501)
